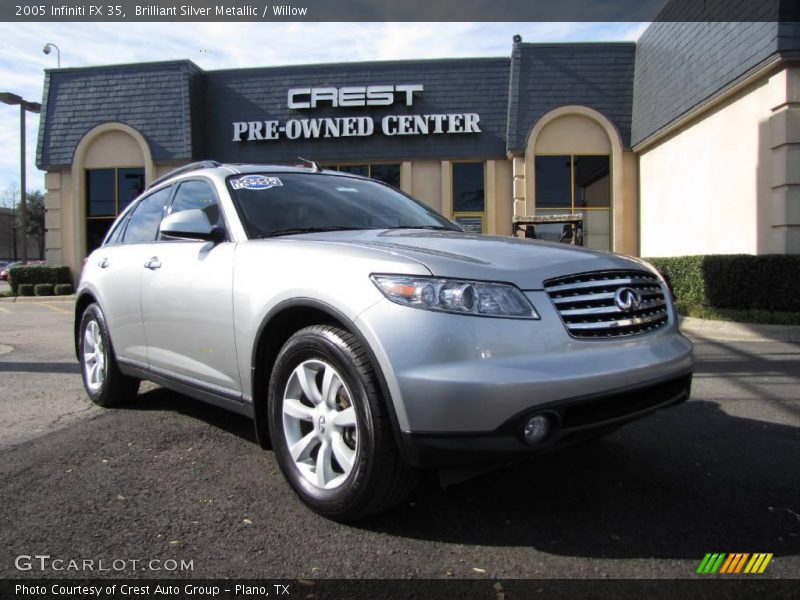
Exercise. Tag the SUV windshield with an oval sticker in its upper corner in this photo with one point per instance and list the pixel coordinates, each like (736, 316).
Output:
(286, 203)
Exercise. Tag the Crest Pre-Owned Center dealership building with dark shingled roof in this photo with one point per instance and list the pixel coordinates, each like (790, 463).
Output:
(684, 142)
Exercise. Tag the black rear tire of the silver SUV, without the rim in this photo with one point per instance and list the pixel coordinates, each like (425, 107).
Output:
(115, 388)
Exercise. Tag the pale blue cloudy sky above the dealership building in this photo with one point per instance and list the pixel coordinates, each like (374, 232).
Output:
(231, 45)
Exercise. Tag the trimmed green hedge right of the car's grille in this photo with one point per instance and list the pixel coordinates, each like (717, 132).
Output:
(737, 281)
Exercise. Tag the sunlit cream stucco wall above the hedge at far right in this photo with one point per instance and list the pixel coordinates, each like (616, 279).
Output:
(723, 181)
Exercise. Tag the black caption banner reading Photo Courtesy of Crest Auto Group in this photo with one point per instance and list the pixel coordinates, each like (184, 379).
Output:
(741, 587)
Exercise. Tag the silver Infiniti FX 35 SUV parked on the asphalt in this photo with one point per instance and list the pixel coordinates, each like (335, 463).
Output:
(366, 335)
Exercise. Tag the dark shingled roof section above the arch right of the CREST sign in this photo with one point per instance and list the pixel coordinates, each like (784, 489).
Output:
(546, 76)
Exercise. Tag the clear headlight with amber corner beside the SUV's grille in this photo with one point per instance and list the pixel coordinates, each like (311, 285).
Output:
(456, 296)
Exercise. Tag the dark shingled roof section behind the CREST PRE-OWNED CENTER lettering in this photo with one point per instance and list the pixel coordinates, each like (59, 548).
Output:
(478, 85)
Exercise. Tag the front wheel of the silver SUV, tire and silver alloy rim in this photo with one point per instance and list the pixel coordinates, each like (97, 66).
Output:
(330, 428)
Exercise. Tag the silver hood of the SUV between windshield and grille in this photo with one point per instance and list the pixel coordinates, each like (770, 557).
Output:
(525, 263)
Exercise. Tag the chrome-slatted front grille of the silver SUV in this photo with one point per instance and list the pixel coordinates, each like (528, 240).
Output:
(587, 303)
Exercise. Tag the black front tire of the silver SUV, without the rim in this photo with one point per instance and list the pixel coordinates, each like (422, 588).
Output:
(380, 478)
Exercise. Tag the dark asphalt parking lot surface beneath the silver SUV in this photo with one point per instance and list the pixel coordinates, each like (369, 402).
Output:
(169, 478)
